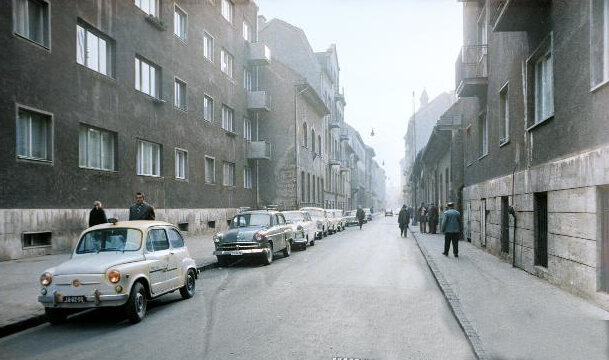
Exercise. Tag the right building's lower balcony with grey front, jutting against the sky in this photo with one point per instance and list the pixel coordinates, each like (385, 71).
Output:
(471, 71)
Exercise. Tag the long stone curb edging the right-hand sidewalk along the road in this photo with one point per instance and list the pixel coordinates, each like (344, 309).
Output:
(455, 305)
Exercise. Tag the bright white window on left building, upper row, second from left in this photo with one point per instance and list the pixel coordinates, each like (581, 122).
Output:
(94, 50)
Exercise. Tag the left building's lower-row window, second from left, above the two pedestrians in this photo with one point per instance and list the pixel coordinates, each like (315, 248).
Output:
(97, 149)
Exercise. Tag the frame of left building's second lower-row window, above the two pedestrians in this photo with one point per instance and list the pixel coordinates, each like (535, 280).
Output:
(84, 159)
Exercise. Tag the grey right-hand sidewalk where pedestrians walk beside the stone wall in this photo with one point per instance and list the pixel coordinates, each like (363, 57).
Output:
(507, 313)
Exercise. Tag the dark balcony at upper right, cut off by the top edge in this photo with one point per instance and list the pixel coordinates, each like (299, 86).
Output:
(518, 15)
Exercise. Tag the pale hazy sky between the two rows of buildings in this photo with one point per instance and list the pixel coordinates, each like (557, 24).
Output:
(386, 50)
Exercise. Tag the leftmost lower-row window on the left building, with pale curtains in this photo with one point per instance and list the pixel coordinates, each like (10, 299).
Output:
(34, 136)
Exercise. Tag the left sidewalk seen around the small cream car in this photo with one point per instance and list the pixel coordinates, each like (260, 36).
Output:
(19, 287)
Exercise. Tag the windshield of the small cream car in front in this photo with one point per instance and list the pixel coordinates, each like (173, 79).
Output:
(113, 239)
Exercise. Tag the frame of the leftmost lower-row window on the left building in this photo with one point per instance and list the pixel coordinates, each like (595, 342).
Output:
(49, 135)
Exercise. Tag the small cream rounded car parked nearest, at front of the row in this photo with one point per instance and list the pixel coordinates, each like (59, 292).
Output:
(119, 264)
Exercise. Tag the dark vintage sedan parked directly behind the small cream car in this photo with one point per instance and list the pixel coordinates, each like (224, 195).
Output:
(257, 233)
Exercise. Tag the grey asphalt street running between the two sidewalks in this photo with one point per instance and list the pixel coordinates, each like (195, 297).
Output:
(364, 294)
